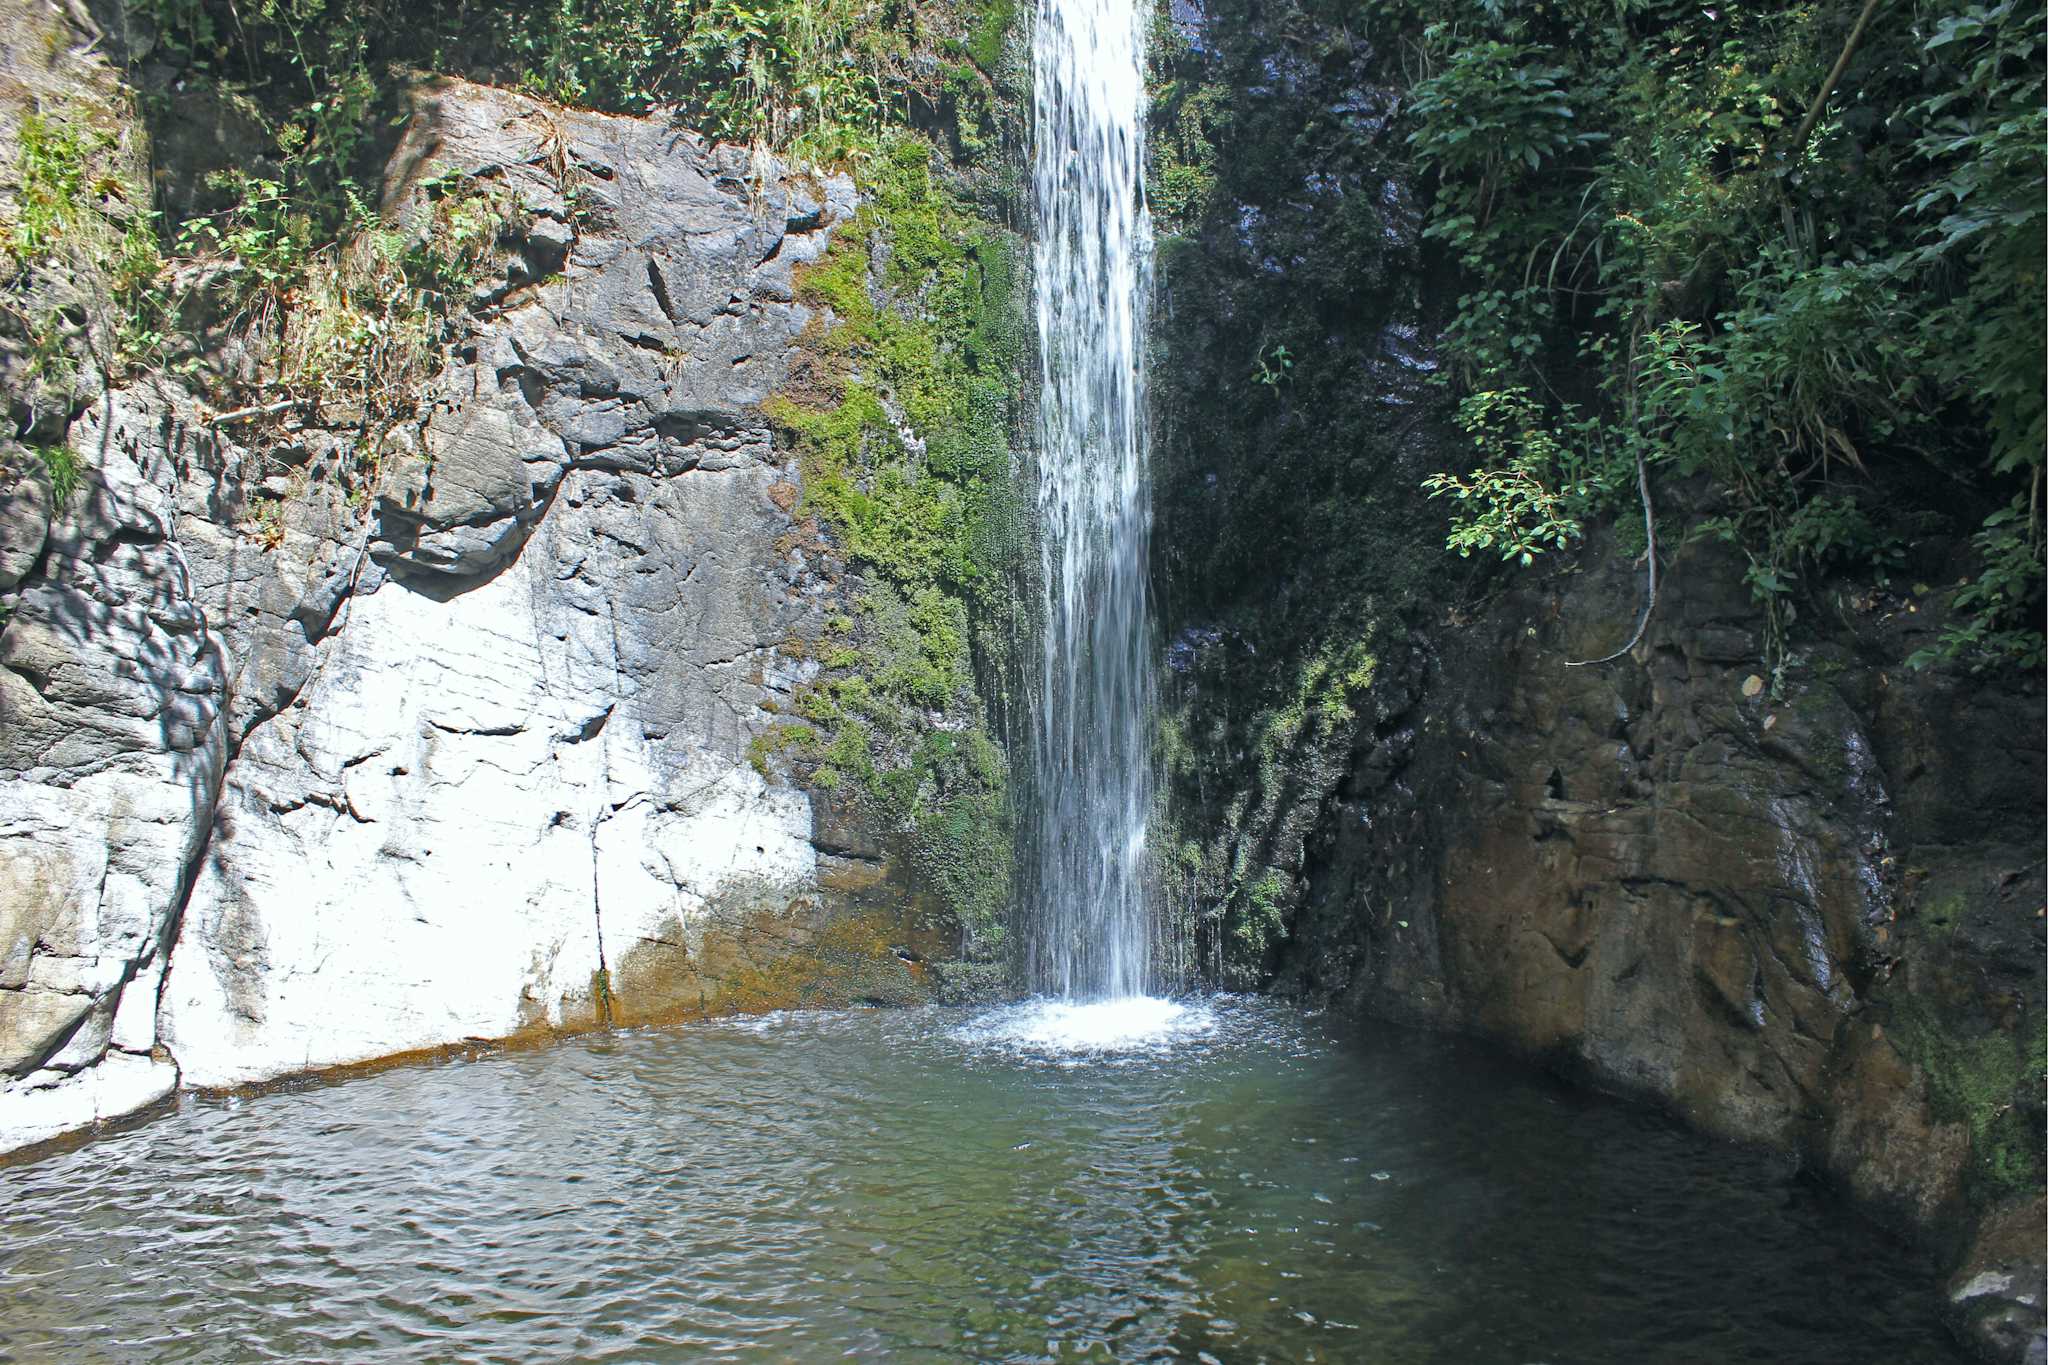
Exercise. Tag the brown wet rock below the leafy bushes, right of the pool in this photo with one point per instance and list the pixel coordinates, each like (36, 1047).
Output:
(1805, 918)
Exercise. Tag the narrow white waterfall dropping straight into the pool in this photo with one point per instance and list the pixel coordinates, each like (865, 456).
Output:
(1095, 715)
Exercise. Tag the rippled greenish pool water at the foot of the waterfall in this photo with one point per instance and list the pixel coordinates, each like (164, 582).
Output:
(1226, 1182)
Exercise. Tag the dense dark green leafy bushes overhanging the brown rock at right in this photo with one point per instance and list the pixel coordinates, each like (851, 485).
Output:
(1801, 328)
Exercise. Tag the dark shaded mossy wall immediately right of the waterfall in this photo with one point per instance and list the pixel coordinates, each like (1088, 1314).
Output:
(1295, 423)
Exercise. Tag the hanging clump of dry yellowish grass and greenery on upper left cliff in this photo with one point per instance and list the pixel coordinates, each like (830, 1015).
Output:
(335, 306)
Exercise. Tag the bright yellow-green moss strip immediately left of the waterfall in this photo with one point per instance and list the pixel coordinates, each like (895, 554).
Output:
(906, 421)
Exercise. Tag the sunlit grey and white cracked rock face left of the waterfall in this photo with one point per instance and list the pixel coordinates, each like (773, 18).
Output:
(294, 783)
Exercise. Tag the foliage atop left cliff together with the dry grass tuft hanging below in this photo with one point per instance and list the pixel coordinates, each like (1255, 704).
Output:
(345, 308)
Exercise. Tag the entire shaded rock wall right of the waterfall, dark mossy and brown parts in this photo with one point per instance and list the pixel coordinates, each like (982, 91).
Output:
(1799, 908)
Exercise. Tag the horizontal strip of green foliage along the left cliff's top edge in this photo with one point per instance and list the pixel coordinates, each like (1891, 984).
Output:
(818, 79)
